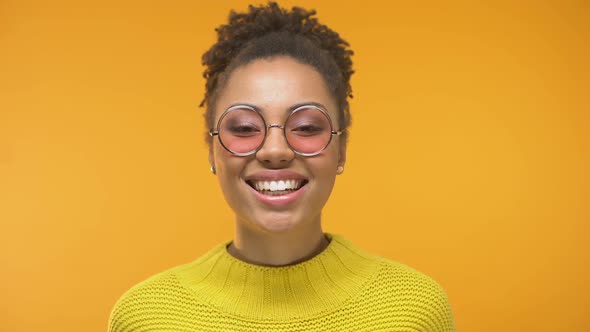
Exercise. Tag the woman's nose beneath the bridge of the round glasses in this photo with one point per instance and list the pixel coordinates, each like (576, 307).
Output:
(275, 152)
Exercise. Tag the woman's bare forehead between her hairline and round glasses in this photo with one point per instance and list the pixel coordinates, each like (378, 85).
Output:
(275, 86)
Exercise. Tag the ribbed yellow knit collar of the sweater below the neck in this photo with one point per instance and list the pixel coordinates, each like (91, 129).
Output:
(318, 285)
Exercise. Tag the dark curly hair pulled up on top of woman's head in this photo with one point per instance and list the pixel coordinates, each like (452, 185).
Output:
(268, 31)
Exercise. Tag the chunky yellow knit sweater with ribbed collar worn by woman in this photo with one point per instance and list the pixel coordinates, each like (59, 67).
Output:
(341, 289)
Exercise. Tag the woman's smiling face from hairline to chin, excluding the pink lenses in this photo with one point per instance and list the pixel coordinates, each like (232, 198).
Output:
(275, 86)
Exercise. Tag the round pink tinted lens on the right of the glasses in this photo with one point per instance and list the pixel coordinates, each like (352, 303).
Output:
(308, 130)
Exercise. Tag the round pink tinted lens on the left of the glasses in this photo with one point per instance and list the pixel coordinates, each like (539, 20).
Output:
(242, 130)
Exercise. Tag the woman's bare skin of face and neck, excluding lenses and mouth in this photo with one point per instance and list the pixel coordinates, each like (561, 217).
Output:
(277, 236)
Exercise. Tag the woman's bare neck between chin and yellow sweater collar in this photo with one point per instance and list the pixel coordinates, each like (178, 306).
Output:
(277, 249)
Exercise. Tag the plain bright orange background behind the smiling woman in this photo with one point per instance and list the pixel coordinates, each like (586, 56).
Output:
(468, 158)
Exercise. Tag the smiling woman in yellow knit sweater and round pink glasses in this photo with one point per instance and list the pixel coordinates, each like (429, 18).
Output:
(277, 114)
